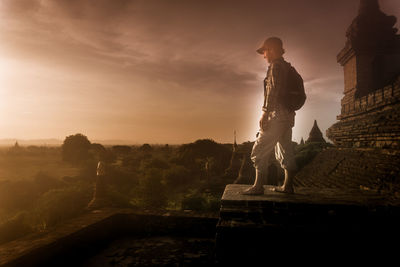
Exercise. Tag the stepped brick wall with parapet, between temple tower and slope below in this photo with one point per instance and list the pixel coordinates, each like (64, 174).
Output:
(372, 121)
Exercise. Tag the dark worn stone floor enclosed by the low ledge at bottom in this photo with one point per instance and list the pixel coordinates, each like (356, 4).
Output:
(156, 251)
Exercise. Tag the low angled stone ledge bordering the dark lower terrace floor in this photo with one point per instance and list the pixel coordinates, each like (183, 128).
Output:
(85, 234)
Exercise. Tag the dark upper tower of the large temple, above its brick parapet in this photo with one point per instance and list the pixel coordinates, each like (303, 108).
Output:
(371, 55)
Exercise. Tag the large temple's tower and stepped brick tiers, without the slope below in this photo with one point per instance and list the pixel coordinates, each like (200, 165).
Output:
(371, 102)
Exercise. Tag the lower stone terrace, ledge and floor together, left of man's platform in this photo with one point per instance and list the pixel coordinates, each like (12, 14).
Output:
(118, 237)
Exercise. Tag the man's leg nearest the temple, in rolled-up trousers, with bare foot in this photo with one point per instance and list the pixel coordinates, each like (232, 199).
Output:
(284, 153)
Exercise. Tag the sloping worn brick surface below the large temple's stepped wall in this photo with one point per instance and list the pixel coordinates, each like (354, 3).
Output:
(371, 170)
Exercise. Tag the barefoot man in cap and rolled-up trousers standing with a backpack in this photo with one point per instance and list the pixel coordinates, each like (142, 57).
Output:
(277, 119)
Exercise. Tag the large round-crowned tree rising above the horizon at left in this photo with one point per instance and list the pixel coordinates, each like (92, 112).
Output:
(75, 149)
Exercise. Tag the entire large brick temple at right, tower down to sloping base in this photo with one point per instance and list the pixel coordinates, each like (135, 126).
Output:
(366, 154)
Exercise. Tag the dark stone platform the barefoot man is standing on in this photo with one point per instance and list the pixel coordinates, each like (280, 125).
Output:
(309, 220)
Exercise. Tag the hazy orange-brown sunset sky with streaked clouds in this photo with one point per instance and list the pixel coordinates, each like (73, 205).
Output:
(163, 71)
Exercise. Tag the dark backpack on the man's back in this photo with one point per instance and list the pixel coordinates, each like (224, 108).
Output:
(294, 96)
